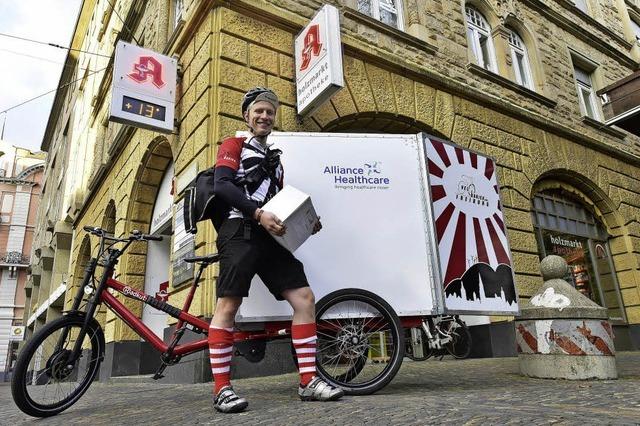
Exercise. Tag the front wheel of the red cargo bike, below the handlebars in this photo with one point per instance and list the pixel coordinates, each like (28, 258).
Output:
(44, 383)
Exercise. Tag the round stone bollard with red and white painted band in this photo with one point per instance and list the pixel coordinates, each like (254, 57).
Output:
(561, 333)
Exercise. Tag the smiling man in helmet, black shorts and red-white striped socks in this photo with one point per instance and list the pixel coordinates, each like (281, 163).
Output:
(246, 249)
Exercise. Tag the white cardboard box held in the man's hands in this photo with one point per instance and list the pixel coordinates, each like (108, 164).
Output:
(294, 208)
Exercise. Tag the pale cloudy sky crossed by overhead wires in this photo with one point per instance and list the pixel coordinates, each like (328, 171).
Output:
(29, 69)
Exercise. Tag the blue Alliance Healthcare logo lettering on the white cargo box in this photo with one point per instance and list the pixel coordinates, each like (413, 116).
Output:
(367, 176)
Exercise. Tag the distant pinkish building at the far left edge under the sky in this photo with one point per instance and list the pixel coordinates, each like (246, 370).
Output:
(20, 176)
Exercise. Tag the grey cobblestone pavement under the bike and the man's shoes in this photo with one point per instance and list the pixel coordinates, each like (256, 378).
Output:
(480, 391)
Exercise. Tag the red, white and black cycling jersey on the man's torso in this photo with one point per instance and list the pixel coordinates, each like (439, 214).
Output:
(243, 156)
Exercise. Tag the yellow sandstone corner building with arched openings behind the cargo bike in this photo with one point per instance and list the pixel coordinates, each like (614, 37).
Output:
(513, 79)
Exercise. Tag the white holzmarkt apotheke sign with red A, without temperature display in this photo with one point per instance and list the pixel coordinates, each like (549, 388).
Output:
(318, 51)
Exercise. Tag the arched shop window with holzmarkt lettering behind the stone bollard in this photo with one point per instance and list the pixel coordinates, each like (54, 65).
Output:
(565, 227)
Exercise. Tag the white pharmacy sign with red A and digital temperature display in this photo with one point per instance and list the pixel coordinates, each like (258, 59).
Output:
(143, 88)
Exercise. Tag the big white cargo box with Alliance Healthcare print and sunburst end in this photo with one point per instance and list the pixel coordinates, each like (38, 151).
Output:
(415, 220)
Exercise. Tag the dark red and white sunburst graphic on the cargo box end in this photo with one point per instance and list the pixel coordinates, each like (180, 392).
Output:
(468, 216)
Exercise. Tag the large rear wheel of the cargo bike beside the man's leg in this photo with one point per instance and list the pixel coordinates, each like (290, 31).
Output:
(360, 341)
